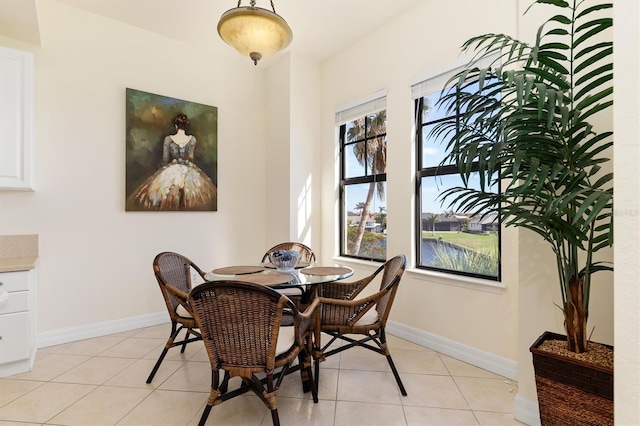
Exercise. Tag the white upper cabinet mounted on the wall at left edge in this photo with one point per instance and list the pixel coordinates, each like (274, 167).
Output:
(16, 119)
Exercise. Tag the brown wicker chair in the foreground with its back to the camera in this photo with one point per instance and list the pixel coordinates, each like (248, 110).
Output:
(240, 326)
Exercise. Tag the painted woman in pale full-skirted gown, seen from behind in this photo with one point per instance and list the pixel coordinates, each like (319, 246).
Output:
(177, 183)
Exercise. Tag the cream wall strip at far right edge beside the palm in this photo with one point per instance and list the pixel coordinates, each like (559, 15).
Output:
(627, 231)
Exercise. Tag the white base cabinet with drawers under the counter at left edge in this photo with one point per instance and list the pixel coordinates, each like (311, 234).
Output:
(17, 322)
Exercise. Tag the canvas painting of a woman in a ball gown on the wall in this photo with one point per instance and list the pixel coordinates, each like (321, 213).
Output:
(171, 154)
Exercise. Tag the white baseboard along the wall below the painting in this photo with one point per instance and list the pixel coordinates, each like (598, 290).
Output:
(57, 337)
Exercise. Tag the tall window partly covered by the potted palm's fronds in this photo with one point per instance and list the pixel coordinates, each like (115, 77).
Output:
(447, 240)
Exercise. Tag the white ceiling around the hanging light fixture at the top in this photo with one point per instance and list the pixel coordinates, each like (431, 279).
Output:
(321, 28)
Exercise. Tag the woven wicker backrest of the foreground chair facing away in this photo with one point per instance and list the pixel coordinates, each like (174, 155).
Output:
(239, 323)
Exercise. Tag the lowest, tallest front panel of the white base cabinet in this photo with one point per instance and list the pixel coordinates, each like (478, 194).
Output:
(14, 337)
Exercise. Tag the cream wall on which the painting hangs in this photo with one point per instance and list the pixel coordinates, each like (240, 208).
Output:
(95, 258)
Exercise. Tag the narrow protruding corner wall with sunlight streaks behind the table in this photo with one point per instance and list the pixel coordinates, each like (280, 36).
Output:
(292, 110)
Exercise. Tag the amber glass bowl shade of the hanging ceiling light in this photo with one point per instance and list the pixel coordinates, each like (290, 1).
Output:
(254, 32)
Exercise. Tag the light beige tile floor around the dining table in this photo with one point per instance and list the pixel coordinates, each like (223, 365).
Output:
(101, 382)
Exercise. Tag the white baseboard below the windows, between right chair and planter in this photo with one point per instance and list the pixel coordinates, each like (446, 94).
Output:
(485, 360)
